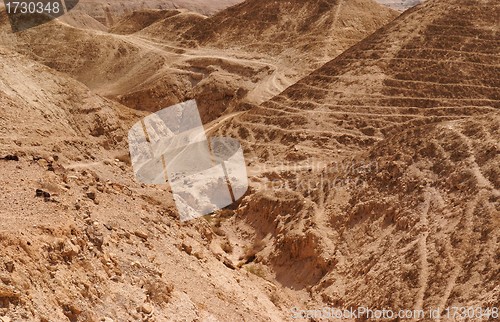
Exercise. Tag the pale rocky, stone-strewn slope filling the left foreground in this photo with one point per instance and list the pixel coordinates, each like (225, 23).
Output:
(80, 239)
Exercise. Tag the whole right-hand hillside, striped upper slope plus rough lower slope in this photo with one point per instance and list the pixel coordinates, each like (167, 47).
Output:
(382, 165)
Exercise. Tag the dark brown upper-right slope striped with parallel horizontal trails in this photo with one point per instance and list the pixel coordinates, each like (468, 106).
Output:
(430, 64)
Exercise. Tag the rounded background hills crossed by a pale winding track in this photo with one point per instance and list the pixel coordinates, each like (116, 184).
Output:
(138, 67)
